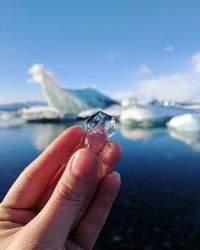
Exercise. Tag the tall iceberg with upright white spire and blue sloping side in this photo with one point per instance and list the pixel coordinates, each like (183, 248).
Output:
(68, 101)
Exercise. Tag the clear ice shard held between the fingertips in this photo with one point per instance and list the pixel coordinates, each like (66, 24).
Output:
(99, 128)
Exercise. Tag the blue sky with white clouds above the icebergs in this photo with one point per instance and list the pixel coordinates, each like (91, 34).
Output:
(145, 48)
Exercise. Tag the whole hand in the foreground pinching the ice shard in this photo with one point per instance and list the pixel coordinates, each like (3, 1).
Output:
(62, 199)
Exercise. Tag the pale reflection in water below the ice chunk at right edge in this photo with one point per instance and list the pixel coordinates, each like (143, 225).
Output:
(190, 138)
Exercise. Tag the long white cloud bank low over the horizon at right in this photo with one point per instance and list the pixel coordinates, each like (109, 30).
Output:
(182, 86)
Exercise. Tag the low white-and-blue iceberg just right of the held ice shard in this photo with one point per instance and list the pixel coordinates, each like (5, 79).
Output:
(148, 116)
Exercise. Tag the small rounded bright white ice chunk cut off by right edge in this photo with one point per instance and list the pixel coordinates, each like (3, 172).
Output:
(187, 122)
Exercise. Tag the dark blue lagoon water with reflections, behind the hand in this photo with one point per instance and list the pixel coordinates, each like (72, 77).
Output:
(159, 204)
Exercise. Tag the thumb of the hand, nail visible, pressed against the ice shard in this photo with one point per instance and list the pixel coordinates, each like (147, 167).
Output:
(57, 217)
